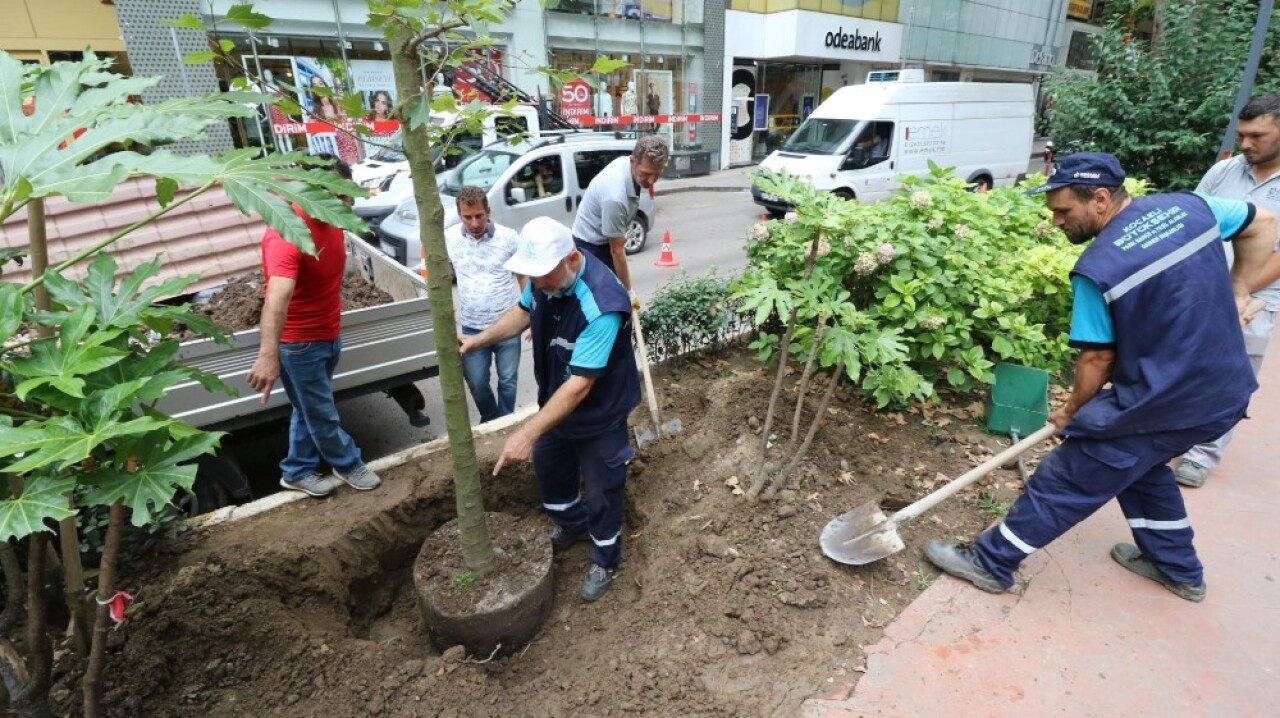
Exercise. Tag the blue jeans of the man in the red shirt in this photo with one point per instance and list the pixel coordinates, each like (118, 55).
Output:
(307, 372)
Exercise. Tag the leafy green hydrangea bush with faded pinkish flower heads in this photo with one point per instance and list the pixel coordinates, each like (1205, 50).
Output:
(927, 290)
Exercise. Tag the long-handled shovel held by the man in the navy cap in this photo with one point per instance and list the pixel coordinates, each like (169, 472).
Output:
(865, 536)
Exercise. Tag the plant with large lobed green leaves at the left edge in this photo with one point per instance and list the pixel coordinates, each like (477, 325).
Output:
(80, 365)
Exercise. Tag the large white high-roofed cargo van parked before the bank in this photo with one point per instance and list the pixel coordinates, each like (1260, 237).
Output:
(863, 138)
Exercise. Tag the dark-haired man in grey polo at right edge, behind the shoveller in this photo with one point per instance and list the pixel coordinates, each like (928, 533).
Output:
(1252, 176)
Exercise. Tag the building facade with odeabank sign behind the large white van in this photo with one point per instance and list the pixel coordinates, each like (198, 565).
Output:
(785, 57)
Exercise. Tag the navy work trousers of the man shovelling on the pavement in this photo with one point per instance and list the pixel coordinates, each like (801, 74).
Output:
(1080, 477)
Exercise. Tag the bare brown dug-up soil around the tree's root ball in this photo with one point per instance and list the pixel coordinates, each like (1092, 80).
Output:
(721, 607)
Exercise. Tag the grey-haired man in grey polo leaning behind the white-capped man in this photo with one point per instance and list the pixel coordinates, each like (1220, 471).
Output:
(611, 203)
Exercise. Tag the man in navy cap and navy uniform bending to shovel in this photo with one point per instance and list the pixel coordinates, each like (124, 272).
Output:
(1163, 368)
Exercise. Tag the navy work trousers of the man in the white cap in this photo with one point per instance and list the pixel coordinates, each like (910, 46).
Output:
(601, 464)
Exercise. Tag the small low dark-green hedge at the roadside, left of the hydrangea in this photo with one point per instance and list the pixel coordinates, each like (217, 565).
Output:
(688, 315)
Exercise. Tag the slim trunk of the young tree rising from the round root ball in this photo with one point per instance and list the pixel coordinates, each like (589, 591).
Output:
(477, 548)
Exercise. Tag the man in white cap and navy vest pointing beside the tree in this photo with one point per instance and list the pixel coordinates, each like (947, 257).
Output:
(580, 317)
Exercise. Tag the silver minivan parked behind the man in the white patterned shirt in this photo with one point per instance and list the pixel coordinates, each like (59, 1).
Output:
(546, 177)
